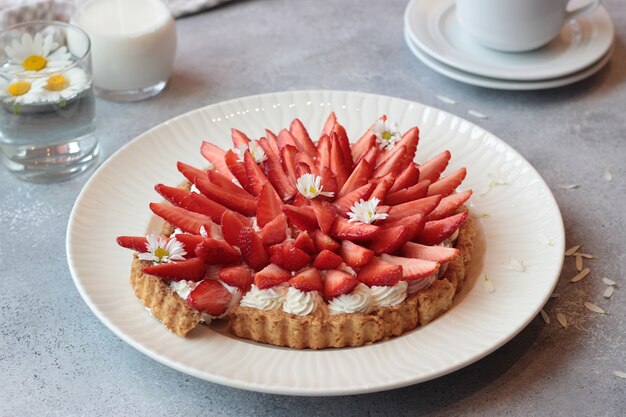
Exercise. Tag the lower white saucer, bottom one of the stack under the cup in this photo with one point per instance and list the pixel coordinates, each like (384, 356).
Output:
(500, 84)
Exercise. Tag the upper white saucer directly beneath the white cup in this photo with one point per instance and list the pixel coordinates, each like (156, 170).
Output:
(433, 27)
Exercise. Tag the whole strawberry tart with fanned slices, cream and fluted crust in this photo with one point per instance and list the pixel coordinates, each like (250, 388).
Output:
(307, 244)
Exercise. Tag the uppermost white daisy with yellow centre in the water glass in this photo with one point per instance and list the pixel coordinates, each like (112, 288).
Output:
(36, 54)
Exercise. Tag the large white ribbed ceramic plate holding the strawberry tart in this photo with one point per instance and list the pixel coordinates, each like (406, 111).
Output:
(522, 216)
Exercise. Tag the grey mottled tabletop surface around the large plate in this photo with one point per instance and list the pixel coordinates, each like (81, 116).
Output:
(58, 359)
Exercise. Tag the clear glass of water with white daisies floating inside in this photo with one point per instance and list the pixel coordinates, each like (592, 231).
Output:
(47, 105)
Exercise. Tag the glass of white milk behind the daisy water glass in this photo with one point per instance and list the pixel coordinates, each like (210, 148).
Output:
(133, 46)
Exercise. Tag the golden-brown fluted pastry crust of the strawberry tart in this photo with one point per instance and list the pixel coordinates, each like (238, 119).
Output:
(320, 330)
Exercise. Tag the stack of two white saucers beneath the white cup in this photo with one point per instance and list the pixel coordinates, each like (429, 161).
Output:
(583, 47)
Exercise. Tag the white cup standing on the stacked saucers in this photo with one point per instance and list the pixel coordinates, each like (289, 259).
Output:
(517, 25)
